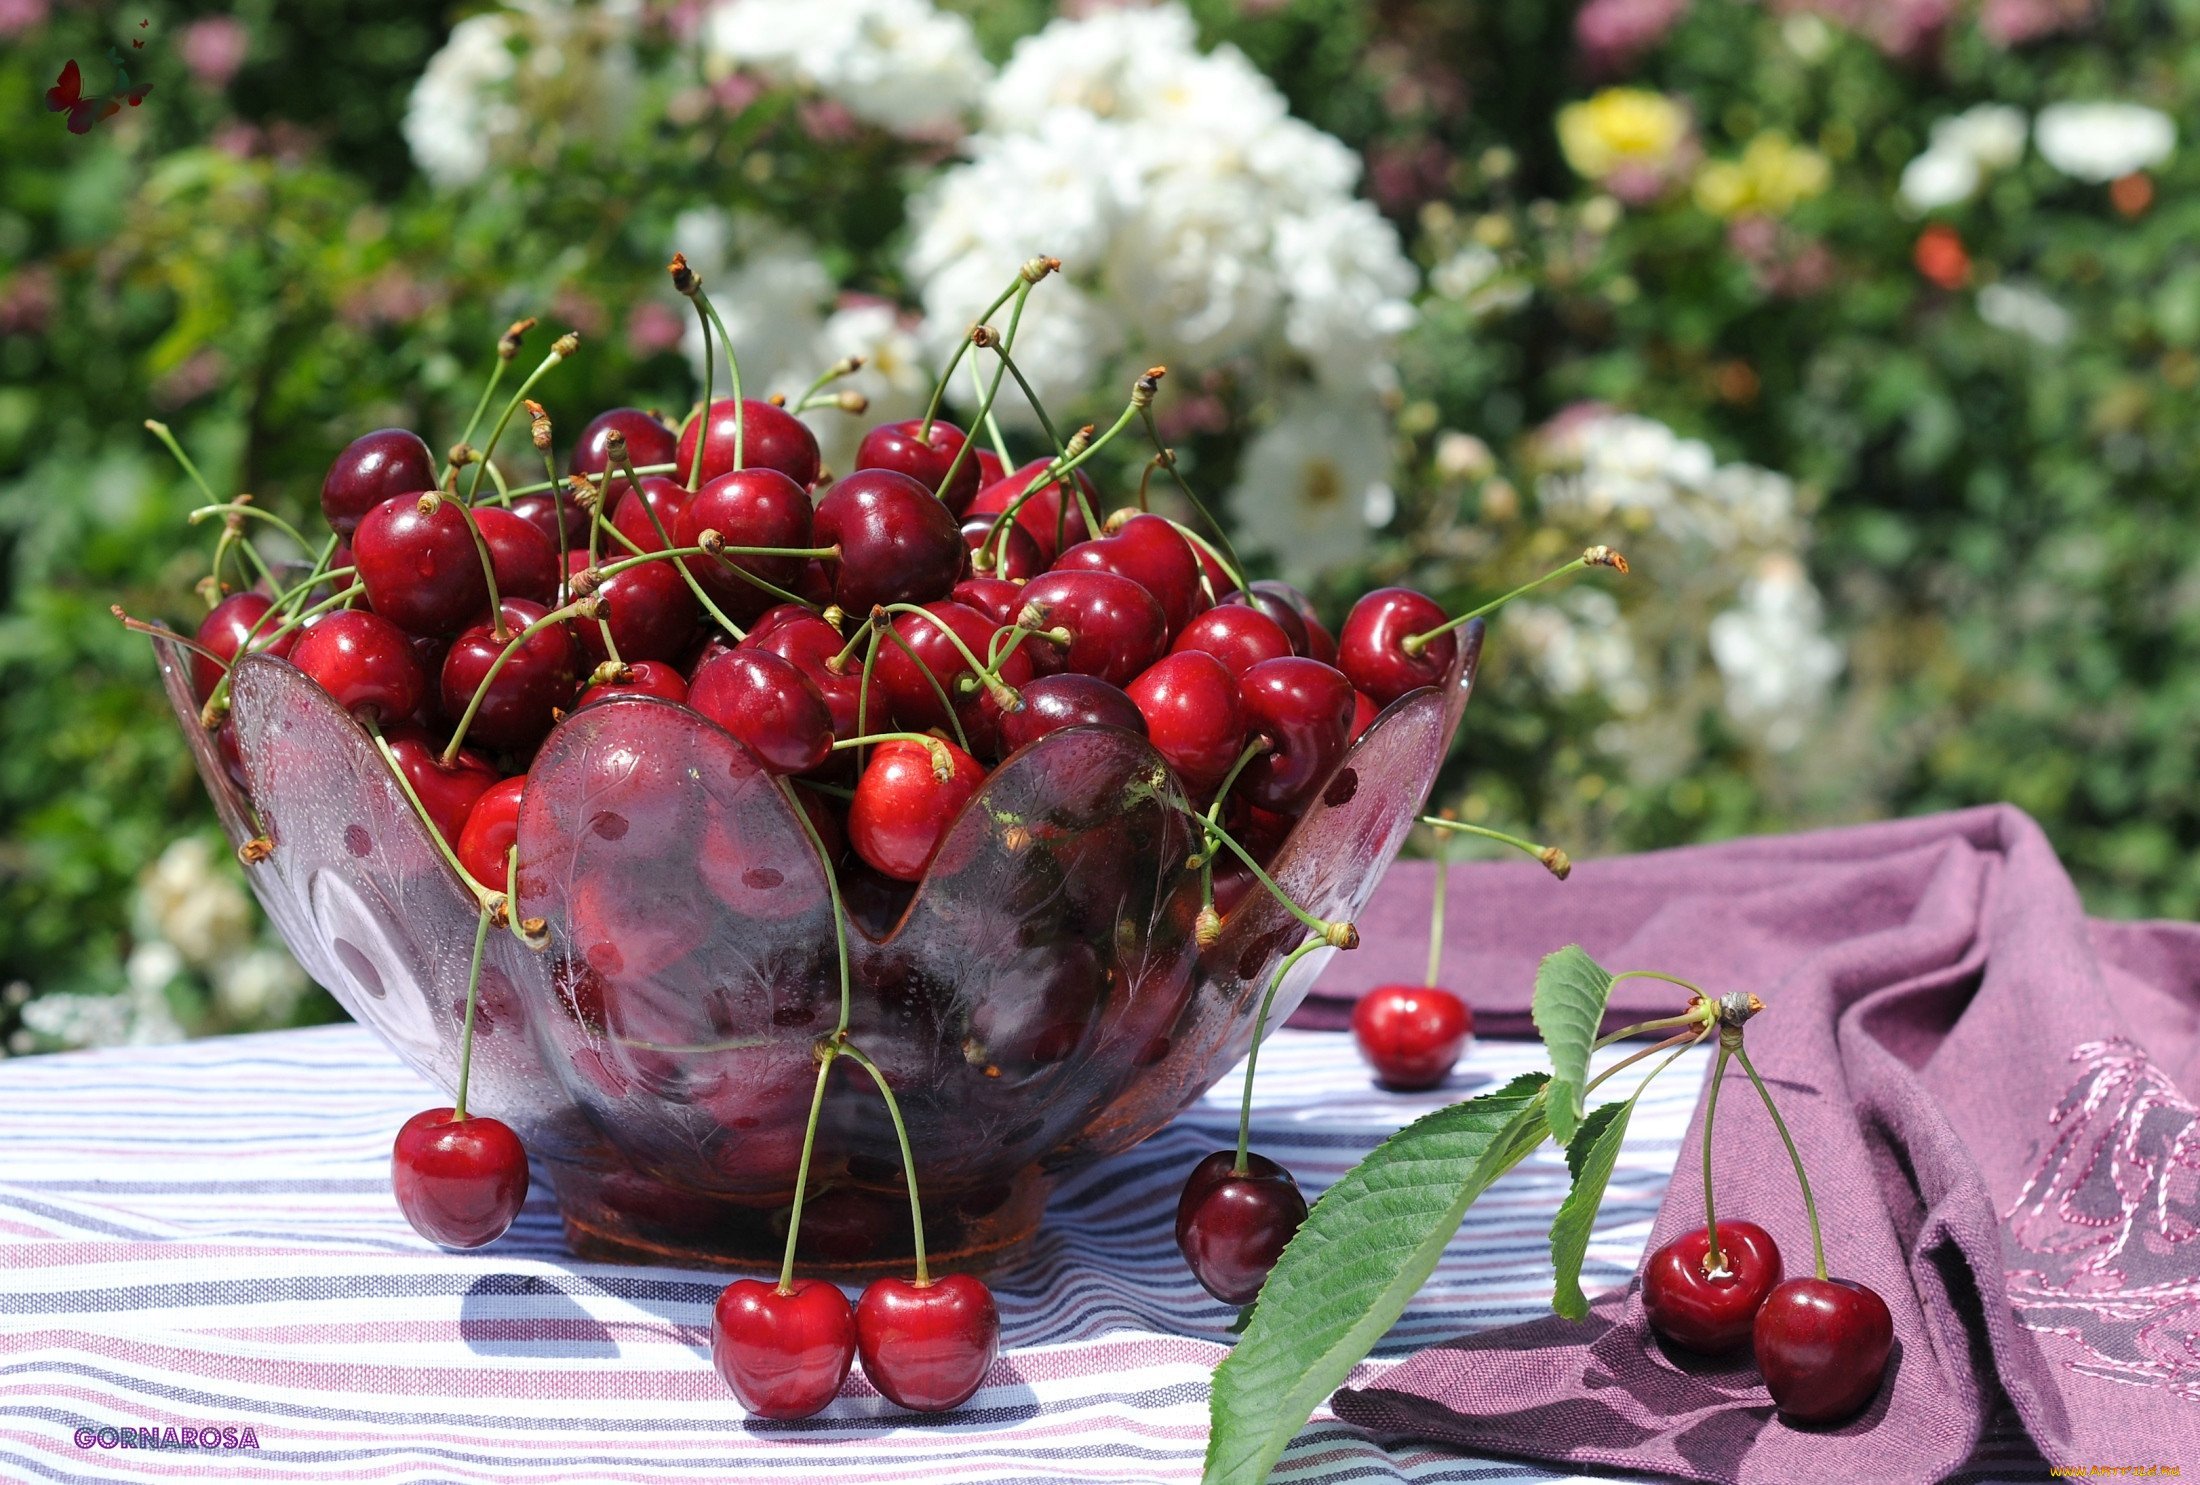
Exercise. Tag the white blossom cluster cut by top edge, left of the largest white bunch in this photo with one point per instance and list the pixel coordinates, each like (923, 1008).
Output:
(901, 65)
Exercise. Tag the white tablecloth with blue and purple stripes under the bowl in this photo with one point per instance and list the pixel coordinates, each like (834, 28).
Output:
(203, 1237)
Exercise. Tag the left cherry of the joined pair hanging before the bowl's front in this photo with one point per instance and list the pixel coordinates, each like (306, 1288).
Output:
(782, 1354)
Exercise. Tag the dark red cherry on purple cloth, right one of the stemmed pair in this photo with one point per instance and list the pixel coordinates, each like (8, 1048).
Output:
(1823, 1347)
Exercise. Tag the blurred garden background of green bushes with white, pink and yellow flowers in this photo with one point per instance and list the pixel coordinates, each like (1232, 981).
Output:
(1869, 329)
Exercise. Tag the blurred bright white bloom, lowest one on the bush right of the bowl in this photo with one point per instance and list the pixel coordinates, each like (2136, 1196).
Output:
(1774, 654)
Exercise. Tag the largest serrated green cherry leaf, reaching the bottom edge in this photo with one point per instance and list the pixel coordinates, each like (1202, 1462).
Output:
(1361, 1257)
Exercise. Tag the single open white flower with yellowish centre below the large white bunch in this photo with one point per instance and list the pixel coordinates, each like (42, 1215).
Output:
(1314, 483)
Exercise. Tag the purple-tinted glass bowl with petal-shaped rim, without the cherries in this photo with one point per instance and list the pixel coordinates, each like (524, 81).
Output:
(1037, 1004)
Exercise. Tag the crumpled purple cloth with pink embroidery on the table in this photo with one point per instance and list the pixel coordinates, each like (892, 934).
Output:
(1992, 1101)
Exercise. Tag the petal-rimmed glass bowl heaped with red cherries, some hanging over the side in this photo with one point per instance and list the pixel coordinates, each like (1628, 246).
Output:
(802, 870)
